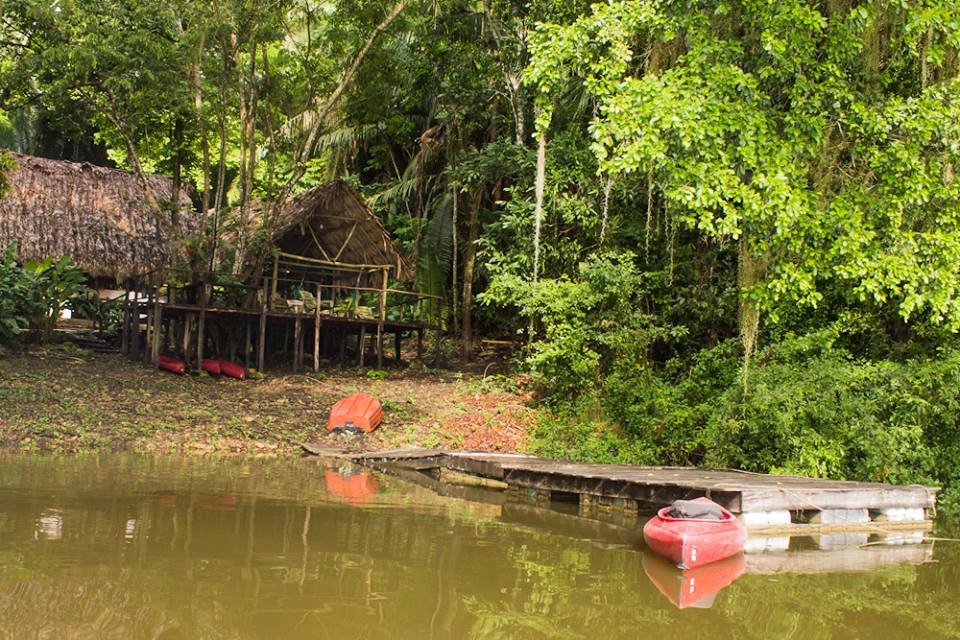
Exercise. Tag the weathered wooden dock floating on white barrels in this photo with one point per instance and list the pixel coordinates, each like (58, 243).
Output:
(766, 504)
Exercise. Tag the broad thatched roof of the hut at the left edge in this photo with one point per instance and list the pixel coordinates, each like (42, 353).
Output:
(98, 216)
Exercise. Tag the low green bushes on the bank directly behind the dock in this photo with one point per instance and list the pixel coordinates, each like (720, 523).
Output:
(810, 409)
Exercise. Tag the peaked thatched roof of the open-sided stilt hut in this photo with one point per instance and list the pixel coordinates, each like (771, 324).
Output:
(332, 223)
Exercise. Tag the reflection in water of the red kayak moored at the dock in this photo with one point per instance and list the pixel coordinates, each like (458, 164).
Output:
(692, 587)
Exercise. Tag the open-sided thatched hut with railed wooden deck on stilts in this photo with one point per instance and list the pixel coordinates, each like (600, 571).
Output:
(327, 281)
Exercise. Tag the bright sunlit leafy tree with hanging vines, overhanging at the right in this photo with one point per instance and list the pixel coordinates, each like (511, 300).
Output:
(774, 127)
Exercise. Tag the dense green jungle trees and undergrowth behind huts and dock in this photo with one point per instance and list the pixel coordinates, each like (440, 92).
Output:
(726, 232)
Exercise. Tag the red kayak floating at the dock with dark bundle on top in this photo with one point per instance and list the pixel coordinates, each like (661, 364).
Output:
(692, 533)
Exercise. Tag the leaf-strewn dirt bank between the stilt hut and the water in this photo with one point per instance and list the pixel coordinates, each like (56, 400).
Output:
(67, 400)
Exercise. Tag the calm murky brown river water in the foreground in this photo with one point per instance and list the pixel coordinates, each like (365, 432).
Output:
(123, 546)
